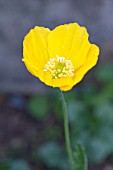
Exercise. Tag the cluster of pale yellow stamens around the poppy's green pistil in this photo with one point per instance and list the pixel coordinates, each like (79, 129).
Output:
(59, 67)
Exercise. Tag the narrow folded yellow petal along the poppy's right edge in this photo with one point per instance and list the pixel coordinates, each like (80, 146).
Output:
(91, 61)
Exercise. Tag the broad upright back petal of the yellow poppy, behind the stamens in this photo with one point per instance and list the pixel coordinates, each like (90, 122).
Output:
(69, 41)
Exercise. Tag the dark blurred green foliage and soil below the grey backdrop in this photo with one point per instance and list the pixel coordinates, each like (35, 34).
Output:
(31, 127)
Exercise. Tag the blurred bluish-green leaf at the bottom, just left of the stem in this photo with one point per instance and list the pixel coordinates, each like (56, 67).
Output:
(53, 156)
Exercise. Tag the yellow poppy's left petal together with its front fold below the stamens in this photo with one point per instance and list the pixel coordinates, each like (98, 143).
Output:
(36, 56)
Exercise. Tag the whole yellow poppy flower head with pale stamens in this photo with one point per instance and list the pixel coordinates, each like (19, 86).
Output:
(59, 57)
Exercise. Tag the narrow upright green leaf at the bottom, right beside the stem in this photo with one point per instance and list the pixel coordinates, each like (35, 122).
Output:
(80, 158)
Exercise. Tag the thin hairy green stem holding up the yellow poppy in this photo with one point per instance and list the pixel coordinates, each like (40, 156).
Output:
(66, 128)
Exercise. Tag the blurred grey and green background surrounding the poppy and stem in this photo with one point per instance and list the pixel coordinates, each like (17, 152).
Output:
(31, 120)
